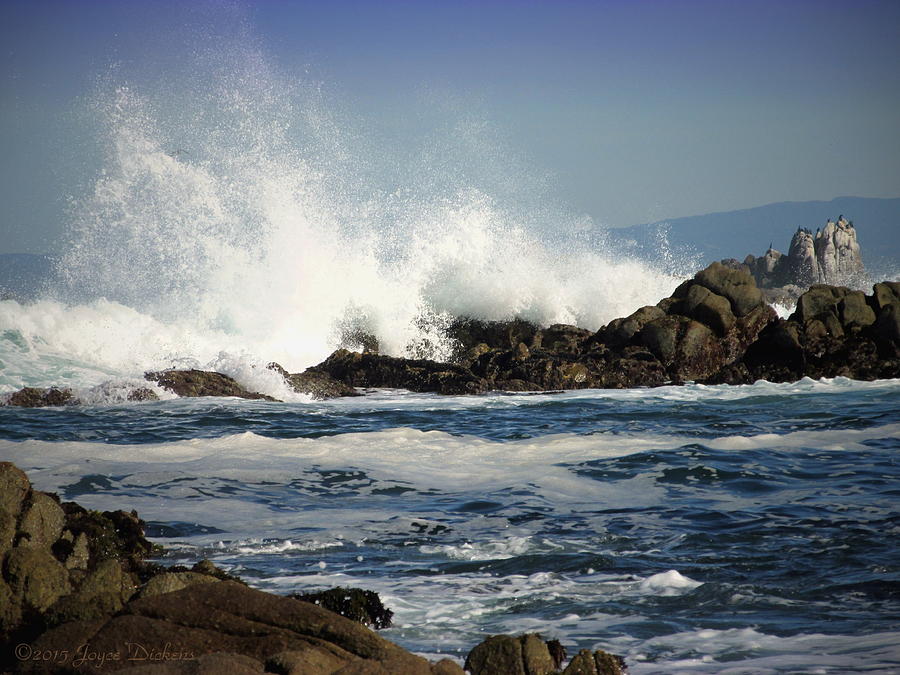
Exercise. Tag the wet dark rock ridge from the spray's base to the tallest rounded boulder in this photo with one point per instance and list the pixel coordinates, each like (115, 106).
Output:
(707, 323)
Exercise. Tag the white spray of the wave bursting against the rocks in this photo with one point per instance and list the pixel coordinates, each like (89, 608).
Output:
(237, 213)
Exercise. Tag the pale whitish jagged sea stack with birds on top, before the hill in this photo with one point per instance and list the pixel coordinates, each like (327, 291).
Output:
(830, 256)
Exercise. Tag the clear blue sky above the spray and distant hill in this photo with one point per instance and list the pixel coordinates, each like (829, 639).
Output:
(630, 111)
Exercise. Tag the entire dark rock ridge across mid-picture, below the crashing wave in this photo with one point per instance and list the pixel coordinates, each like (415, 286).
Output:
(715, 328)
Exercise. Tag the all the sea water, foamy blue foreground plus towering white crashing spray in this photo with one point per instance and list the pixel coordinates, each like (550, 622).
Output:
(241, 217)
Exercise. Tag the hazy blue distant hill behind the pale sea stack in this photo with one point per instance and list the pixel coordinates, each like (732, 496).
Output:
(734, 234)
